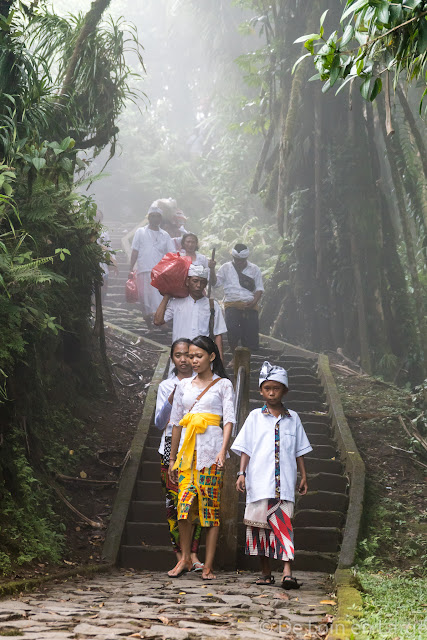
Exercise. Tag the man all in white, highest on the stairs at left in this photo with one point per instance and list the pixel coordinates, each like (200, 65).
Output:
(149, 245)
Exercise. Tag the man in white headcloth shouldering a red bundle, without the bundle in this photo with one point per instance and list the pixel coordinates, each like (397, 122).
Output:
(191, 315)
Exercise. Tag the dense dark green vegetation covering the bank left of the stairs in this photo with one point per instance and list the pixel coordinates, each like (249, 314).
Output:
(49, 255)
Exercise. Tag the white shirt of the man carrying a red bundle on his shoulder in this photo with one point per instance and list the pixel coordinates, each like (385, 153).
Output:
(191, 317)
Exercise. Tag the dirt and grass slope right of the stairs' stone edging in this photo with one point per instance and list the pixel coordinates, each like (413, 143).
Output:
(391, 563)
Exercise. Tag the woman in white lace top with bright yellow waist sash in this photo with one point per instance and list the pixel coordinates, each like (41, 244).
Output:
(202, 446)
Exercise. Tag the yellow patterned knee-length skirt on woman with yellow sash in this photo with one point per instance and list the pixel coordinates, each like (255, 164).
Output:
(205, 486)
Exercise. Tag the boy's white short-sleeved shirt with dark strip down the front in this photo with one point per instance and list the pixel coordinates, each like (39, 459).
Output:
(257, 439)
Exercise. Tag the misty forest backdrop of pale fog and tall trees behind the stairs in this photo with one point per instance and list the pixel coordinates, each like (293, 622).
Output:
(333, 208)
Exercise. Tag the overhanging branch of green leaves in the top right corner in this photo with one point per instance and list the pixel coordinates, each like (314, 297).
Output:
(376, 36)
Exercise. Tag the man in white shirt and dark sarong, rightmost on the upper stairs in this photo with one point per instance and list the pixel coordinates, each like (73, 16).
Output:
(243, 288)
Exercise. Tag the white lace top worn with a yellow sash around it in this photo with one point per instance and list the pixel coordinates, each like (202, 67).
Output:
(218, 400)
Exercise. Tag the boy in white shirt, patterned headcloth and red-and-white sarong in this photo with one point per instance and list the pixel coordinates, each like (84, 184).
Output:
(271, 445)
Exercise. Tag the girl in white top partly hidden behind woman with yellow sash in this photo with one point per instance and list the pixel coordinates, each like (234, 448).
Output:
(181, 369)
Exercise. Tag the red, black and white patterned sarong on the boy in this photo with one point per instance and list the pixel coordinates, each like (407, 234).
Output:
(276, 539)
